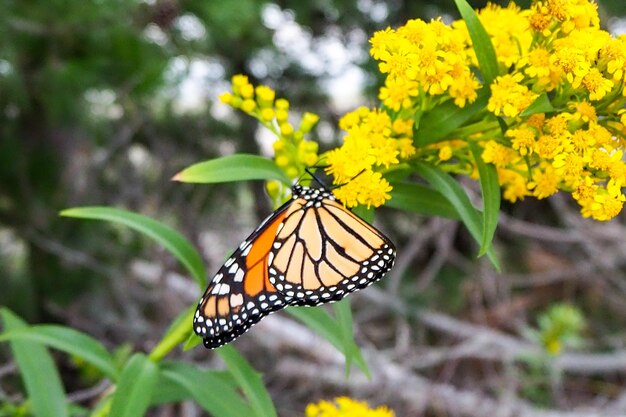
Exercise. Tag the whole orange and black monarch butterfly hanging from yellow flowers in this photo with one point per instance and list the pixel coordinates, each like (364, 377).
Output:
(311, 250)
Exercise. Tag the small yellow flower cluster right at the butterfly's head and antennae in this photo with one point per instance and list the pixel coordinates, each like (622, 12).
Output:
(372, 145)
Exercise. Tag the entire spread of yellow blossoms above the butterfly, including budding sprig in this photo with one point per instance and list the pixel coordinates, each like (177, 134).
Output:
(554, 120)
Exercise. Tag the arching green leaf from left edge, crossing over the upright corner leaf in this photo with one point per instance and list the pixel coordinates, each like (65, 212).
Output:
(69, 341)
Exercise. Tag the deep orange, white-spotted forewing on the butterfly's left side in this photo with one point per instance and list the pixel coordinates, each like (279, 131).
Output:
(240, 294)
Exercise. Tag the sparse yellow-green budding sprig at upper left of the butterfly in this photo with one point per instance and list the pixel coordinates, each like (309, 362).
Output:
(293, 153)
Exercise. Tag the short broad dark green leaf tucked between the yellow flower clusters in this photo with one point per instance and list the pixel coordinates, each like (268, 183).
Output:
(441, 121)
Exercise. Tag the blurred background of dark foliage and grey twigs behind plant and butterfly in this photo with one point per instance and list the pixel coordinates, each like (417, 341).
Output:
(103, 101)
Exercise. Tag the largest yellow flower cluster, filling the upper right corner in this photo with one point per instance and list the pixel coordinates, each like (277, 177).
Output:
(578, 147)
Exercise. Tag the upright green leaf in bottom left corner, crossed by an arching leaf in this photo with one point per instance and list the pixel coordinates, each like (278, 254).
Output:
(38, 371)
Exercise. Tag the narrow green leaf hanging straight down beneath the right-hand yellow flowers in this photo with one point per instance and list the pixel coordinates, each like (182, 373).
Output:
(490, 188)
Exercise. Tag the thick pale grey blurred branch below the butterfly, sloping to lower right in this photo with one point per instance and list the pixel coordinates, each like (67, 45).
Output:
(390, 381)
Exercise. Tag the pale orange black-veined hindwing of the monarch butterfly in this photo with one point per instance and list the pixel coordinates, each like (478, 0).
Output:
(322, 251)
